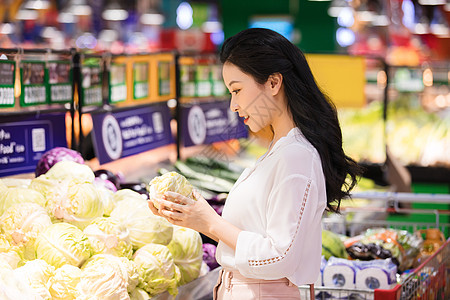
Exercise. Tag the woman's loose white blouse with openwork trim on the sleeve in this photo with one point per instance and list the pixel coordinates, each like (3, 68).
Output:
(278, 204)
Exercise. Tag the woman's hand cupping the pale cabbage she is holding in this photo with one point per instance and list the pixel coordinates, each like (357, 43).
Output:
(183, 211)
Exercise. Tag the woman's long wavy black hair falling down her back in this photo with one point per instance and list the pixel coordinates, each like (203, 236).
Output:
(262, 52)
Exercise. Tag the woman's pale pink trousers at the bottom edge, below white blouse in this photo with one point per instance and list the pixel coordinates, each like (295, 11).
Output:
(234, 286)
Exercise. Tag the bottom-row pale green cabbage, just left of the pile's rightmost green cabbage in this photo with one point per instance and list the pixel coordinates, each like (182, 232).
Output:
(156, 269)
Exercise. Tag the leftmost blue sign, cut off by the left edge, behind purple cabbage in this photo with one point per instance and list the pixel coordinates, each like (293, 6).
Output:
(23, 140)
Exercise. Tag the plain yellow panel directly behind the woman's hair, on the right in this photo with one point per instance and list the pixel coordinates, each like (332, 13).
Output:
(340, 77)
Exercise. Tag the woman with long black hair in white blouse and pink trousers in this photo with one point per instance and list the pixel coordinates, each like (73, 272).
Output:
(270, 231)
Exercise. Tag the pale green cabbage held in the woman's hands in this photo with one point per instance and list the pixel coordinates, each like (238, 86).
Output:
(170, 181)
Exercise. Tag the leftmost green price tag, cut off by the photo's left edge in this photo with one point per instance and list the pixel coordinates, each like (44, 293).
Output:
(7, 80)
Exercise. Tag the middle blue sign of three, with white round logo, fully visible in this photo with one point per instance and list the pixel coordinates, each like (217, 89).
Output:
(131, 131)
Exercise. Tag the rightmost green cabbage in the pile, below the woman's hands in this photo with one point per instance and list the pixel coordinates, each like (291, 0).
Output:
(187, 252)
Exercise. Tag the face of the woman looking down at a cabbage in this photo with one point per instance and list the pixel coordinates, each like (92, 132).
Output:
(251, 100)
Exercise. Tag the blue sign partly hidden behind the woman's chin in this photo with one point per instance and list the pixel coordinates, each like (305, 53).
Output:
(206, 123)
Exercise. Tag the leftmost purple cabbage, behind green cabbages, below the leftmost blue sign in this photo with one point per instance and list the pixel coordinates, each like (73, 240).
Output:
(57, 154)
